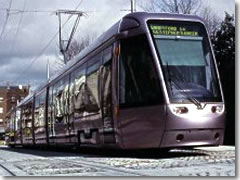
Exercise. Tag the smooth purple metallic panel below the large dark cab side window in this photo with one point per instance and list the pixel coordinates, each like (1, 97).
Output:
(141, 127)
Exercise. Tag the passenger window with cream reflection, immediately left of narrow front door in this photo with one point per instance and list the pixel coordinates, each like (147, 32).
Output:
(91, 96)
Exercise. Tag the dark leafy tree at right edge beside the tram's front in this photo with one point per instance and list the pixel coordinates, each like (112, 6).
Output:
(224, 47)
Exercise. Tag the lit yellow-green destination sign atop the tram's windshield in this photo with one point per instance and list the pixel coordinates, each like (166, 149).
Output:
(172, 30)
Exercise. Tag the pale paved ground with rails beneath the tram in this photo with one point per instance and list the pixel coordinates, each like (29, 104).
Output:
(208, 161)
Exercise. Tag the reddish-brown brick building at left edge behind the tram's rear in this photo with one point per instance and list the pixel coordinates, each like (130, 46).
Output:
(9, 97)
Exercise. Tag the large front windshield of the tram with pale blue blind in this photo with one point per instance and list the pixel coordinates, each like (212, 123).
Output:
(187, 62)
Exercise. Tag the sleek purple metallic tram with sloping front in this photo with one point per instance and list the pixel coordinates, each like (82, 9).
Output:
(150, 81)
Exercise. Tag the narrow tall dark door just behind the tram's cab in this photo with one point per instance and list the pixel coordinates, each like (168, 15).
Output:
(106, 96)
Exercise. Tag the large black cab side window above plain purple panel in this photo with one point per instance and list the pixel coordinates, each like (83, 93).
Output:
(139, 82)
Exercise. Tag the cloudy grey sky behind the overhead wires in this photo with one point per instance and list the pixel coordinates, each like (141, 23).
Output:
(24, 44)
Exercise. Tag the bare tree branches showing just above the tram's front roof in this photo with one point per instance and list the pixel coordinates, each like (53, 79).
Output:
(171, 6)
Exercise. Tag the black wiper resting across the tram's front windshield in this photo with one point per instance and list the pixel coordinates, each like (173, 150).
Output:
(181, 90)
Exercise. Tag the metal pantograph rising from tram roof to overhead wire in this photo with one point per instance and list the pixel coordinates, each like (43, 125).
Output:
(64, 44)
